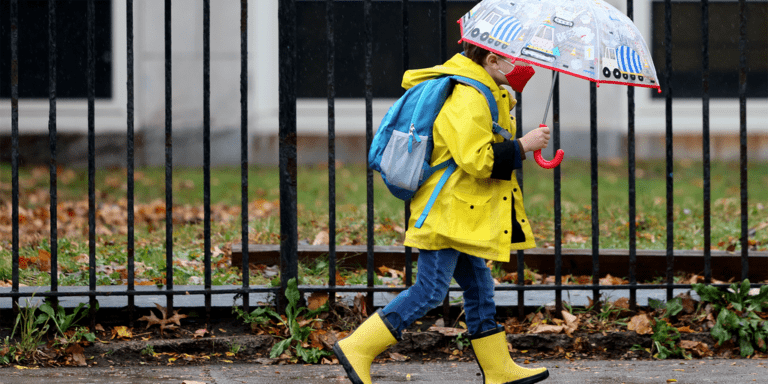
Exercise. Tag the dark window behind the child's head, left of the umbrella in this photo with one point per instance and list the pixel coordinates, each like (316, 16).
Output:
(349, 35)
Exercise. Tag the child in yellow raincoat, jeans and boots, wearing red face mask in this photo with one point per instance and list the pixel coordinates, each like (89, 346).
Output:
(478, 216)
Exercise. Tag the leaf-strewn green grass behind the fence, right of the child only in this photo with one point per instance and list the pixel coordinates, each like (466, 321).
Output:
(651, 219)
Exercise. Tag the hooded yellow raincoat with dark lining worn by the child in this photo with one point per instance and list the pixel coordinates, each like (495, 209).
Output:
(473, 212)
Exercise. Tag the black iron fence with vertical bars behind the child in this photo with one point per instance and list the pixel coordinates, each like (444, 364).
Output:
(287, 14)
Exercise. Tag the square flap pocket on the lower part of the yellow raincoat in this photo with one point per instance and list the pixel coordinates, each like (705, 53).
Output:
(469, 217)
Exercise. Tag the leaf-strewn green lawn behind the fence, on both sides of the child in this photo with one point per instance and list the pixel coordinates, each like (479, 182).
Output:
(351, 197)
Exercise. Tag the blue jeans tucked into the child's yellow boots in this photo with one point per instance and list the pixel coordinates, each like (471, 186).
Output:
(435, 269)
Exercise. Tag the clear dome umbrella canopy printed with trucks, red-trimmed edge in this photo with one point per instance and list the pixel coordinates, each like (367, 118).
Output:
(589, 39)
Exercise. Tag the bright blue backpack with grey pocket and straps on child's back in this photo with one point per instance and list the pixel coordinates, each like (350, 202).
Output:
(402, 147)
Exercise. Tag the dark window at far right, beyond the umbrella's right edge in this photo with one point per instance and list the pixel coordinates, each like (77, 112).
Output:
(685, 78)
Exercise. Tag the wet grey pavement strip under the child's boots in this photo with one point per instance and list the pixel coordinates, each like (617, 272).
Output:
(561, 371)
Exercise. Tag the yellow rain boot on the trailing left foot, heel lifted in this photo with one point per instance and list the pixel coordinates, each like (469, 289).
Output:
(357, 351)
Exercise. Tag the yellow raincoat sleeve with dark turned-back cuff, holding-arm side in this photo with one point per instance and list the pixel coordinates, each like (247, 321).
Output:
(465, 125)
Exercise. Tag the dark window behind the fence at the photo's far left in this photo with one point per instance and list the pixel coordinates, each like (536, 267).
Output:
(72, 54)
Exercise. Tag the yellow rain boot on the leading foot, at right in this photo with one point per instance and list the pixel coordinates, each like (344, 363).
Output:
(495, 363)
